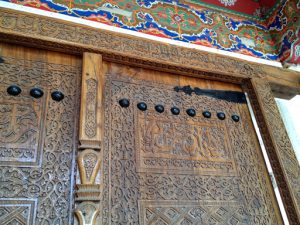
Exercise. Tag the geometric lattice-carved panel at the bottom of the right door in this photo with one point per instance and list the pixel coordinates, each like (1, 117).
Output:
(190, 213)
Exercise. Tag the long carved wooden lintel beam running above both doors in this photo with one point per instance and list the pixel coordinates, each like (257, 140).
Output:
(33, 30)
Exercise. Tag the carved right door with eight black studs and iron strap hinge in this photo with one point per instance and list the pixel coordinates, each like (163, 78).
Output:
(162, 167)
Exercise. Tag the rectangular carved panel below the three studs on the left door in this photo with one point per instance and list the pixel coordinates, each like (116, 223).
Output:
(21, 132)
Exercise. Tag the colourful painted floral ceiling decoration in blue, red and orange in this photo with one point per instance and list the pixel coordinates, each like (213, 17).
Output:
(265, 29)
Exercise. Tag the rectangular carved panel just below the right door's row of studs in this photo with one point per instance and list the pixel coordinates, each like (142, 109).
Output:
(181, 145)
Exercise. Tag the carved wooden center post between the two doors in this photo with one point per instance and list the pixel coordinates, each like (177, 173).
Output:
(88, 187)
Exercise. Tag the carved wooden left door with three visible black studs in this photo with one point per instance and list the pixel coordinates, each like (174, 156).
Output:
(37, 136)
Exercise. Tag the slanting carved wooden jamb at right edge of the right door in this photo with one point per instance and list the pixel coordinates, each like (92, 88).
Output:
(278, 145)
